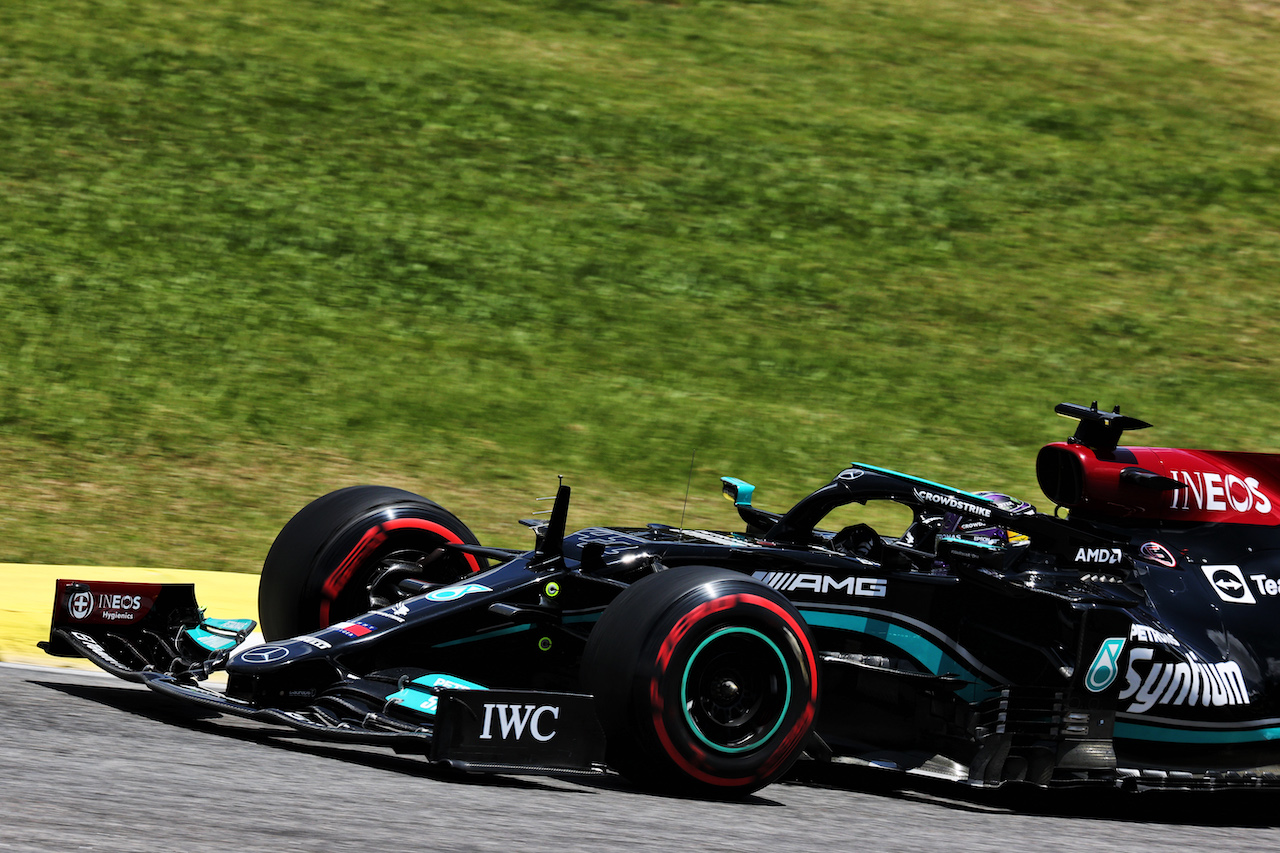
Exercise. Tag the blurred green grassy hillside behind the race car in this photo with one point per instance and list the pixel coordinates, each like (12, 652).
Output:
(252, 252)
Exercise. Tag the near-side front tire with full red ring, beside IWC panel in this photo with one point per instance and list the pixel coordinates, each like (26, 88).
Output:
(706, 682)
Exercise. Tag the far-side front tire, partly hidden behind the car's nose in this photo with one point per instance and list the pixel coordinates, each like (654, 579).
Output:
(323, 562)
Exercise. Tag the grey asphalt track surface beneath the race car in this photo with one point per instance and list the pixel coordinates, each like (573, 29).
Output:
(89, 763)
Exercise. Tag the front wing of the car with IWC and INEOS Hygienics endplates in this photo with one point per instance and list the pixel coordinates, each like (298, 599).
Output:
(163, 641)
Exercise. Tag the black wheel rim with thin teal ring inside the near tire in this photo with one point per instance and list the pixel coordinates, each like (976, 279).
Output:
(735, 690)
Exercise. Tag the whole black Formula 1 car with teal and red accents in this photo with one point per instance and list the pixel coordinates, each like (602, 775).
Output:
(1132, 644)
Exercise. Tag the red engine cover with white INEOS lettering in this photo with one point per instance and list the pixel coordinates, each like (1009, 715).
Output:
(1224, 487)
